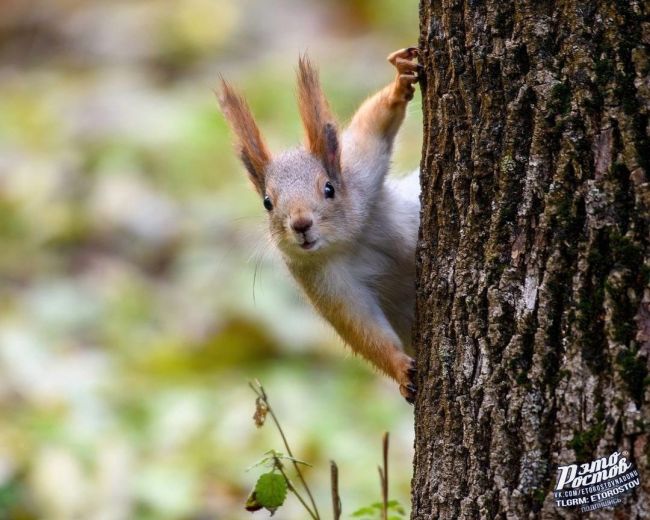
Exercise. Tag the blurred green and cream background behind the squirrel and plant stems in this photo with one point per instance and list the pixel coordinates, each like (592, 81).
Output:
(138, 294)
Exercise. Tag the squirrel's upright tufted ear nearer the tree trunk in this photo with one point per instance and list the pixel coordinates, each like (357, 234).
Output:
(319, 123)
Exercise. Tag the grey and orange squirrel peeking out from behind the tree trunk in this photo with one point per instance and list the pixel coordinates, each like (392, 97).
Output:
(346, 233)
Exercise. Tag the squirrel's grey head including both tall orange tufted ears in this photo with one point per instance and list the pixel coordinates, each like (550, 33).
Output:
(303, 189)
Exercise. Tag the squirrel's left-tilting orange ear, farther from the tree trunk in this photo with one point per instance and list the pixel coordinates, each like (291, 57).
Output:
(249, 143)
